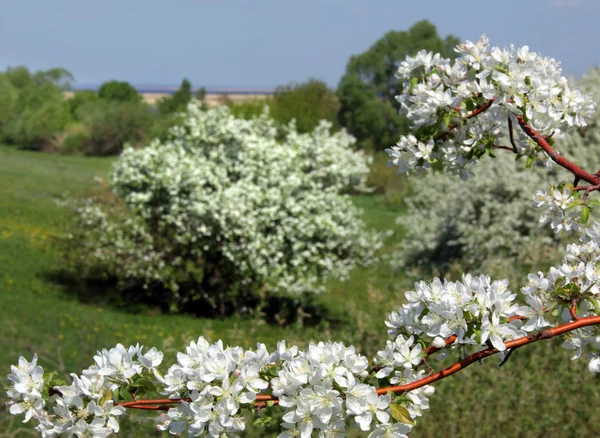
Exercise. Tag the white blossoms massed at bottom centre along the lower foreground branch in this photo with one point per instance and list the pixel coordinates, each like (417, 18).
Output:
(317, 388)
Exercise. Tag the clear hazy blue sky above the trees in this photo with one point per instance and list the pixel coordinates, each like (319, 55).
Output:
(264, 43)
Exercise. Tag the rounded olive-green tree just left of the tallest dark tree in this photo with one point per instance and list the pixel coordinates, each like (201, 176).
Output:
(307, 103)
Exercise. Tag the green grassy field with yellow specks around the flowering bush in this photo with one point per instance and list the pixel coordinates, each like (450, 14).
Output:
(539, 392)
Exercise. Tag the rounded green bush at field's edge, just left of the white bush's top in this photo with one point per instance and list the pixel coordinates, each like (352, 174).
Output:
(112, 124)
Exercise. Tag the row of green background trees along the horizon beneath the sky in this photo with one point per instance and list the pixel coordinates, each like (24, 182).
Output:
(35, 114)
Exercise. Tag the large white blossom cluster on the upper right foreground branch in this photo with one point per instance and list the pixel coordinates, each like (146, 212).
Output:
(441, 100)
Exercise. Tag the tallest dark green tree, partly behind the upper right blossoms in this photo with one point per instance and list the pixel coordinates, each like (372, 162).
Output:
(367, 89)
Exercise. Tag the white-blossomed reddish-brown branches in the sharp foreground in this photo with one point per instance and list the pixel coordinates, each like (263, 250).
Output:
(457, 110)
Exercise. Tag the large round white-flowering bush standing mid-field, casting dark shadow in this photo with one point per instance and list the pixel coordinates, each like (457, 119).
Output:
(223, 210)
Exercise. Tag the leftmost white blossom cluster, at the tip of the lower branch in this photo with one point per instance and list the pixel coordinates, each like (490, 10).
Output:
(87, 407)
